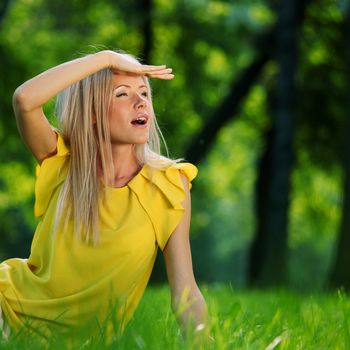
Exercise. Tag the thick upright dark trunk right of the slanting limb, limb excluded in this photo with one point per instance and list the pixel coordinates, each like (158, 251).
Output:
(268, 257)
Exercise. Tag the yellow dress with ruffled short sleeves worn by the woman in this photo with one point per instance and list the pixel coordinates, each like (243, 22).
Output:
(65, 283)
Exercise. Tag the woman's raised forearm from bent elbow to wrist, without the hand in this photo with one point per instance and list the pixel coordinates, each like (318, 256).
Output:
(37, 91)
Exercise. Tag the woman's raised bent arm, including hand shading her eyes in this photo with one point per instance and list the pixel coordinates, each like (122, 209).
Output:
(29, 98)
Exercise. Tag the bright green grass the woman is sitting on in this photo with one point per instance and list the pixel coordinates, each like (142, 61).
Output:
(238, 320)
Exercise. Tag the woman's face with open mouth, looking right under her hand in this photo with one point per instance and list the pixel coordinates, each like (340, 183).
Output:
(130, 110)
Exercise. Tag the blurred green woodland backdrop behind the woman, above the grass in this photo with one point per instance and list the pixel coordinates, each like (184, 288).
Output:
(259, 103)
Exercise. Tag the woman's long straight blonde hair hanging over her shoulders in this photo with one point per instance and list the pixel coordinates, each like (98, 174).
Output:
(82, 110)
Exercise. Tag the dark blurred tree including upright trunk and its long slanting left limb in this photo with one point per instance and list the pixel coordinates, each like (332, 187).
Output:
(264, 248)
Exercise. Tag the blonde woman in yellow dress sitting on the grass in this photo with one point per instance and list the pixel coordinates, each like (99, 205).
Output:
(106, 200)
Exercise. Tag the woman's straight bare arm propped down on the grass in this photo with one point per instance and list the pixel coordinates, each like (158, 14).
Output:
(187, 301)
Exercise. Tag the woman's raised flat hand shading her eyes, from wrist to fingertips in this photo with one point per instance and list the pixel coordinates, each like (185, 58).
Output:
(125, 64)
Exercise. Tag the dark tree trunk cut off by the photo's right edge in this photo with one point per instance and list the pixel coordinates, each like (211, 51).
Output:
(340, 275)
